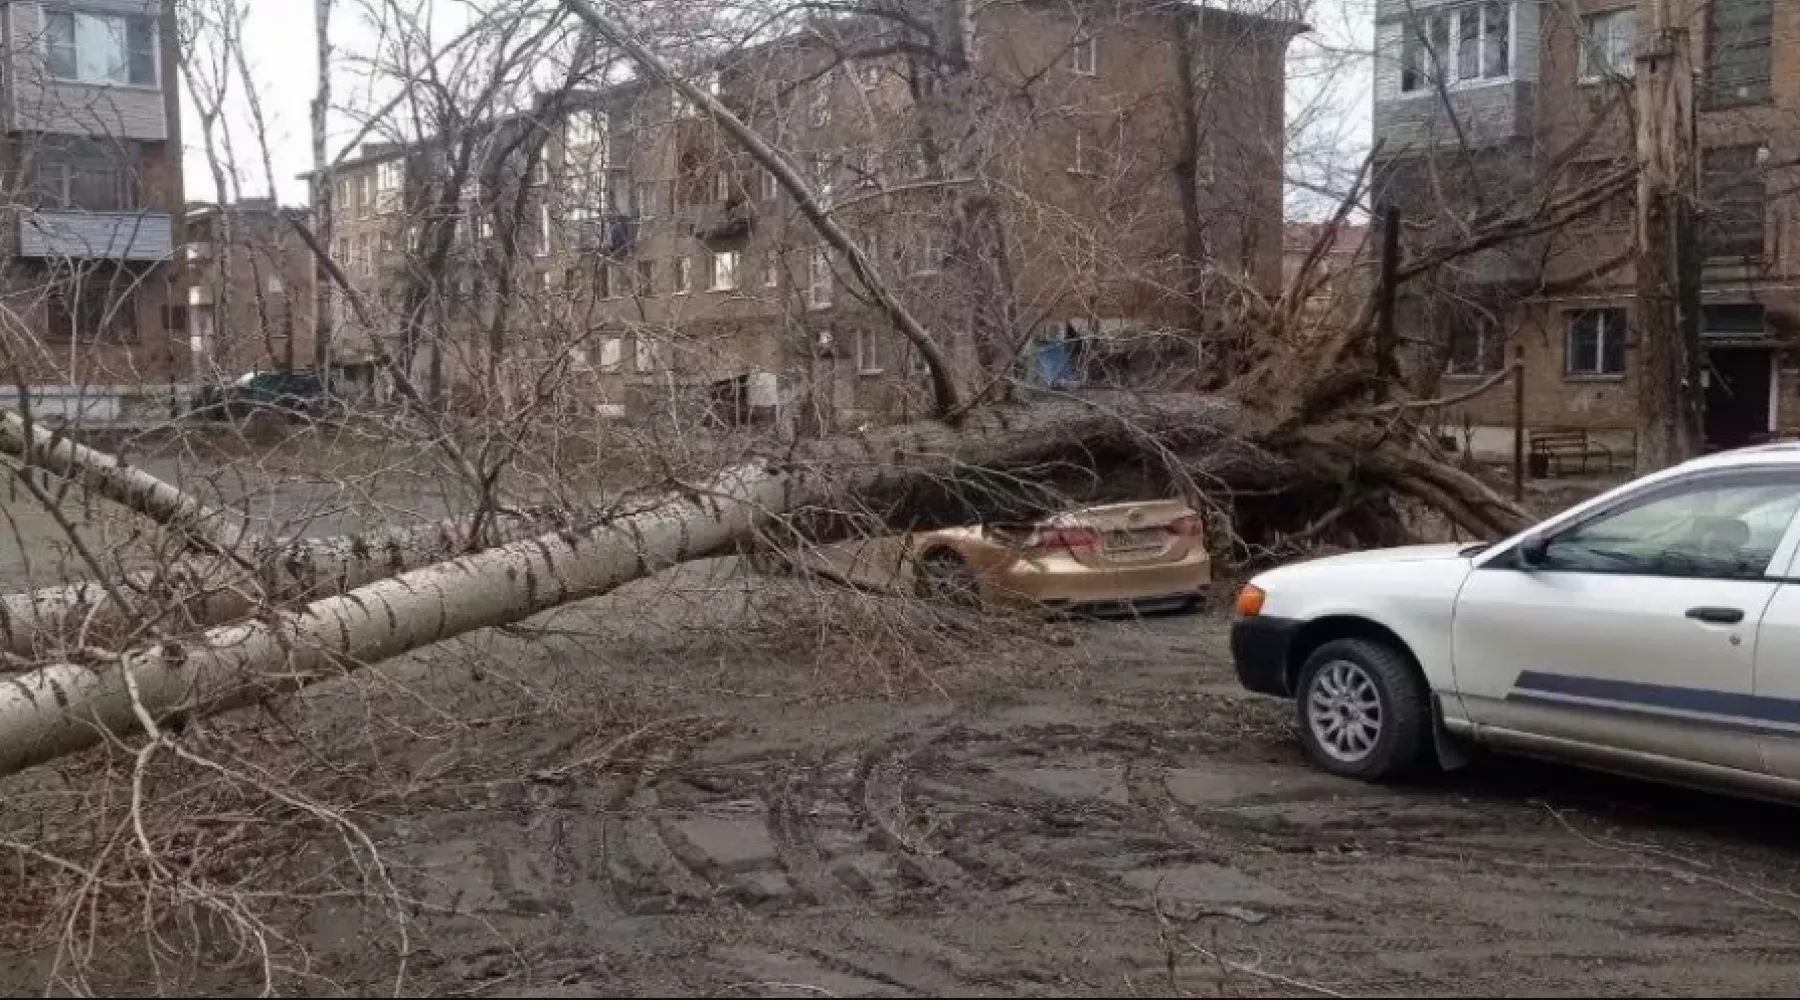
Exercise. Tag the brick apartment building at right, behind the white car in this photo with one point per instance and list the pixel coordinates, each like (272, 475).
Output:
(1513, 100)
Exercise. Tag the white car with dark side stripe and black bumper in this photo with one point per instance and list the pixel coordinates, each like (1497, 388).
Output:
(1653, 630)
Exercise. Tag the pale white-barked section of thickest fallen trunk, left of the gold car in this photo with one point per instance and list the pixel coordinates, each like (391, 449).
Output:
(67, 708)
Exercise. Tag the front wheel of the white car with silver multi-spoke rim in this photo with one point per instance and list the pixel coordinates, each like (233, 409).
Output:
(1363, 711)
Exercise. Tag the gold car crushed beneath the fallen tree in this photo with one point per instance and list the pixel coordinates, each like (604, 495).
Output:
(1142, 557)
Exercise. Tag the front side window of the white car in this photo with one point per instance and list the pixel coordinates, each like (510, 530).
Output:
(1725, 528)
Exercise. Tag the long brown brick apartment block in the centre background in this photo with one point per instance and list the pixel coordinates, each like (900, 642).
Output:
(681, 274)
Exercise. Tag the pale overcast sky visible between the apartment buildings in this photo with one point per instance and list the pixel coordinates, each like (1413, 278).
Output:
(280, 46)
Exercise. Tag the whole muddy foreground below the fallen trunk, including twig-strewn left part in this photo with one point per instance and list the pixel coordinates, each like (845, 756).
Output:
(719, 785)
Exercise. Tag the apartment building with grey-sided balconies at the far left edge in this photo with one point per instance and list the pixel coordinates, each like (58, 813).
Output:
(89, 98)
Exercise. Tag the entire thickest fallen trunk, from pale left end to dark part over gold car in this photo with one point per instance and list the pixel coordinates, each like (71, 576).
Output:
(71, 706)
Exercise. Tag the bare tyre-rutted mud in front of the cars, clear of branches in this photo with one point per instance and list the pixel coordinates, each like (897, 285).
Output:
(1119, 823)
